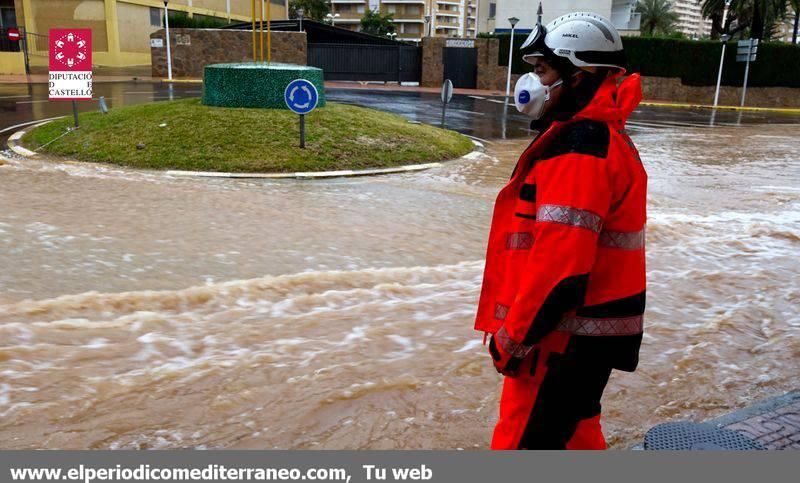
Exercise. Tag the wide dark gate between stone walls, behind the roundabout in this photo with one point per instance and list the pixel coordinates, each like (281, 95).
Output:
(363, 62)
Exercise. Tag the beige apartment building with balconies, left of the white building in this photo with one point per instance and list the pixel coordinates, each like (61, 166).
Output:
(414, 19)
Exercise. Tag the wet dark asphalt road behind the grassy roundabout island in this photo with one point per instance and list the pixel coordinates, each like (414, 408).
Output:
(482, 117)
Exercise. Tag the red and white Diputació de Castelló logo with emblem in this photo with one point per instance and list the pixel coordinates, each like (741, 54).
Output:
(70, 64)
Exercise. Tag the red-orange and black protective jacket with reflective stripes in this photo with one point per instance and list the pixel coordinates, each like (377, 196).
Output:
(566, 247)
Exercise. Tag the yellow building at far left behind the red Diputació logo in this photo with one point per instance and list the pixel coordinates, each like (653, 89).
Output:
(121, 28)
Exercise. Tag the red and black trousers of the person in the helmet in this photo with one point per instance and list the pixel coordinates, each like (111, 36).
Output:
(555, 401)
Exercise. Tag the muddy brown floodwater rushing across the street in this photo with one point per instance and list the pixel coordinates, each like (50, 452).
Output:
(142, 311)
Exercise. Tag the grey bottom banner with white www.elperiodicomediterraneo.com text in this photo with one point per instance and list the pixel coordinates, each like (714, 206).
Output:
(395, 466)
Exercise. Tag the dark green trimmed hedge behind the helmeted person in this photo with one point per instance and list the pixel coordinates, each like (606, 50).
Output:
(694, 62)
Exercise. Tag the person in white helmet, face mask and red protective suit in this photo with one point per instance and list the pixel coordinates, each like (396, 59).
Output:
(564, 285)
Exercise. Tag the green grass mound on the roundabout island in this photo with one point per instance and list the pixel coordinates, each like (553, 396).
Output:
(186, 135)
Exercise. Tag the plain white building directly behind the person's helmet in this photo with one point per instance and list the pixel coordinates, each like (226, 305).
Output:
(494, 14)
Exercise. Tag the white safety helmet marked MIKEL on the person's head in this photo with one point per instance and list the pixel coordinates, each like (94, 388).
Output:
(585, 39)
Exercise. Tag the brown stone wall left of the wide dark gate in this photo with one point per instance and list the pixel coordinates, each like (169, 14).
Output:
(193, 49)
